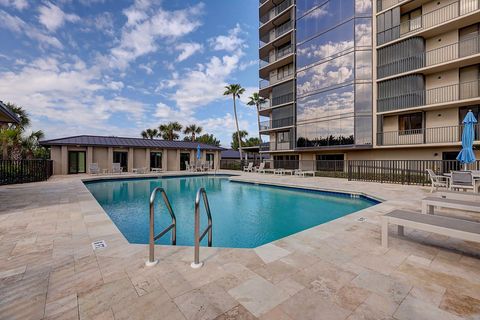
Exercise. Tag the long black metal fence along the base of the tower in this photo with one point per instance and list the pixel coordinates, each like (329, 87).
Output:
(383, 171)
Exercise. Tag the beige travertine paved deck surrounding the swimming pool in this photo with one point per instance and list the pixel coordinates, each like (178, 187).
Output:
(337, 270)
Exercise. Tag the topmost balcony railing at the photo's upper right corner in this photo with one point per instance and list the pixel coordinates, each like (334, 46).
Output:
(439, 16)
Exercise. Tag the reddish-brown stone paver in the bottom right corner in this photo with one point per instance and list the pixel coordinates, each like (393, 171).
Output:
(461, 305)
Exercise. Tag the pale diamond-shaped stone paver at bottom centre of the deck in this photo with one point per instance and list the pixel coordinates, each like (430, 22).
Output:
(258, 295)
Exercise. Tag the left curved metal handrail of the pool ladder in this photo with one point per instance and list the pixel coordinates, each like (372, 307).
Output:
(151, 258)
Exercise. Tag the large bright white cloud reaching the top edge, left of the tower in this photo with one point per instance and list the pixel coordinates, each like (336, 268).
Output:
(140, 34)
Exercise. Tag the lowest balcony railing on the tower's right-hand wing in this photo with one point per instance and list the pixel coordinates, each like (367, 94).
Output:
(448, 134)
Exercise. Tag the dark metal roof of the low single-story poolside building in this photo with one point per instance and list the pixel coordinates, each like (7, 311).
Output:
(105, 141)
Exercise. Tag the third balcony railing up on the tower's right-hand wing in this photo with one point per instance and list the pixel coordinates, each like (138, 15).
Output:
(457, 50)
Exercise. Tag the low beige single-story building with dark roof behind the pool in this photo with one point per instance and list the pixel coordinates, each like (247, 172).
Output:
(75, 154)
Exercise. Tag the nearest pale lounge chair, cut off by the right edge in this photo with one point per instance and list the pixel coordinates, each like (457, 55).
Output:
(451, 227)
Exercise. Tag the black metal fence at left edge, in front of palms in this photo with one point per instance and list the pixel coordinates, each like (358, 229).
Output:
(23, 171)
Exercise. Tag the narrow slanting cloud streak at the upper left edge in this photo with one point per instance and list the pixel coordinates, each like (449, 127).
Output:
(17, 25)
